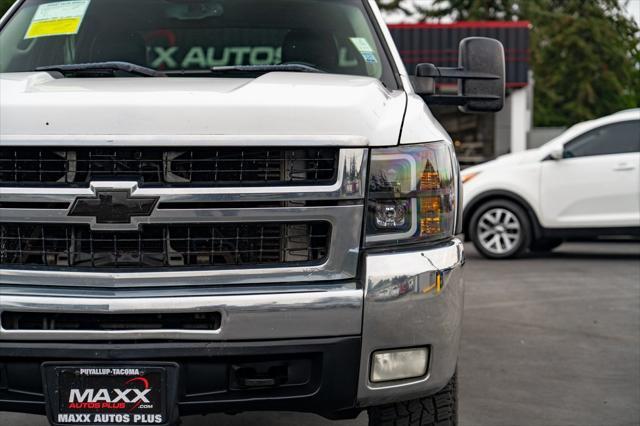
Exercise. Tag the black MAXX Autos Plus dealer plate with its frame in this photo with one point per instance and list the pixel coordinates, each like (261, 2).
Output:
(58, 377)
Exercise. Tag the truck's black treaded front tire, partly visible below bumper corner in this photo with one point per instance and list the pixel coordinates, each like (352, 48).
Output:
(439, 409)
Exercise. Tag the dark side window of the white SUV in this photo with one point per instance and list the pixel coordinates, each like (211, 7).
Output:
(618, 138)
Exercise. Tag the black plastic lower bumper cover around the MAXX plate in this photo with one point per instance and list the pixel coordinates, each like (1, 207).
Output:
(325, 370)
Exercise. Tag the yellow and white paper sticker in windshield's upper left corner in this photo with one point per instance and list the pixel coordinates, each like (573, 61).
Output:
(59, 18)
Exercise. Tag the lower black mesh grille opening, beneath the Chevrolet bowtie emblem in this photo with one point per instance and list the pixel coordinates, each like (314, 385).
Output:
(164, 246)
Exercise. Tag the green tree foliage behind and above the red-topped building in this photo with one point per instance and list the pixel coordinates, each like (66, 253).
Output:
(585, 53)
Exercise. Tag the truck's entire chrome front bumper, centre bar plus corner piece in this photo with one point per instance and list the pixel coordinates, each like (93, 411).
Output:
(406, 299)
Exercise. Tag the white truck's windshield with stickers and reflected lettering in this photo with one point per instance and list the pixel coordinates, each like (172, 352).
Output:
(189, 37)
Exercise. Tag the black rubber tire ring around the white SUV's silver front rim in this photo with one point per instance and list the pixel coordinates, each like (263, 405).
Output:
(524, 236)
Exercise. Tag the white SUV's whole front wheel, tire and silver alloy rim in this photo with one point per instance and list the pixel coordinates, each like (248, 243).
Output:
(500, 229)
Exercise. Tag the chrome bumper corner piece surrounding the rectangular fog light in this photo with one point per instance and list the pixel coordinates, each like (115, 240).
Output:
(412, 299)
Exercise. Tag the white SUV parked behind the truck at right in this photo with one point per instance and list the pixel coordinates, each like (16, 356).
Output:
(583, 184)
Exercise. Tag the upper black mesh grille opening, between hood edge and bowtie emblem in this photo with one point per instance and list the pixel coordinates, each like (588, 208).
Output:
(187, 166)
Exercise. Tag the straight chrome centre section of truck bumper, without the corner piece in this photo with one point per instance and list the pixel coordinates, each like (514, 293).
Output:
(336, 311)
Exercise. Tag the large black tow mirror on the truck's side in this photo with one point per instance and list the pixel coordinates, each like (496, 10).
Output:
(480, 74)
